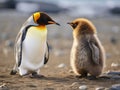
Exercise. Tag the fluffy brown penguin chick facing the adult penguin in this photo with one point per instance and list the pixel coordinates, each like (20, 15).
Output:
(87, 53)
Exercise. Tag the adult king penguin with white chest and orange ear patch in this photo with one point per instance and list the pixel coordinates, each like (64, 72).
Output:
(31, 47)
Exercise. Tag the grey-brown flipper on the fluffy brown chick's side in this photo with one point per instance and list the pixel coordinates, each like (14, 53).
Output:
(95, 52)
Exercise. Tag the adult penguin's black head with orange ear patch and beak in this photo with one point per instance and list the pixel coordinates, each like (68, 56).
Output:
(43, 19)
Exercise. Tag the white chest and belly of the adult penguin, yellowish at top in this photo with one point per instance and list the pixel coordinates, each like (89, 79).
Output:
(34, 47)
